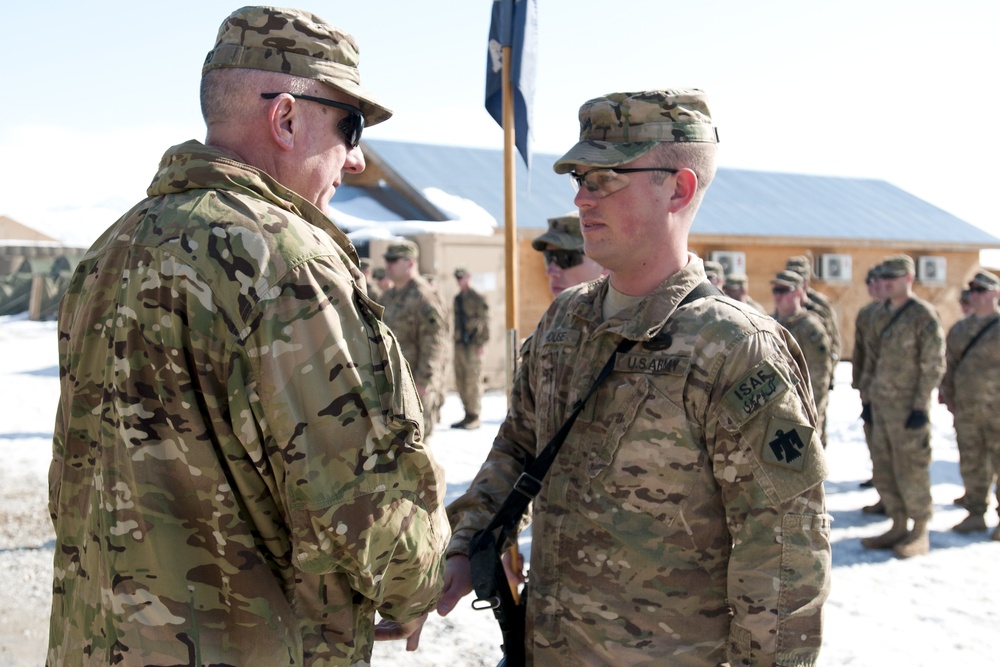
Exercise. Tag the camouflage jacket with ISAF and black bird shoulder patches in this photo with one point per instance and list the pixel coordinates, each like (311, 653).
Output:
(683, 521)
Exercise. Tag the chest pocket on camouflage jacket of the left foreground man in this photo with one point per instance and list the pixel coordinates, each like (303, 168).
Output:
(396, 393)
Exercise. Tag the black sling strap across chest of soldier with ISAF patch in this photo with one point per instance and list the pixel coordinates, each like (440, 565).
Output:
(530, 482)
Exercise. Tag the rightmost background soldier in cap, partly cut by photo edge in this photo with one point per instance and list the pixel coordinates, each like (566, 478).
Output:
(971, 390)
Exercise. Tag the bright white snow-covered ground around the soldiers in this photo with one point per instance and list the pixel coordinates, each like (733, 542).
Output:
(939, 610)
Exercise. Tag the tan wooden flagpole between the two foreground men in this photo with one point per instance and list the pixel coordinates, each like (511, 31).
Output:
(510, 245)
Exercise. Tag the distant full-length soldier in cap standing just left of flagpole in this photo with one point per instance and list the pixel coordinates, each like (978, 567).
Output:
(472, 332)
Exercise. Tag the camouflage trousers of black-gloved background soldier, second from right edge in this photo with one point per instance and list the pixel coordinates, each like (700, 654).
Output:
(901, 461)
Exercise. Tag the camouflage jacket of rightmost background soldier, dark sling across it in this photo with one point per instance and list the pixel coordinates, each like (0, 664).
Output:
(971, 385)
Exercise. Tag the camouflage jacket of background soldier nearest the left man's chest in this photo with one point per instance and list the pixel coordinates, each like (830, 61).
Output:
(417, 318)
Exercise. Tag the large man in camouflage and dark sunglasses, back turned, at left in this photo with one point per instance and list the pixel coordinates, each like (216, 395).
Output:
(238, 476)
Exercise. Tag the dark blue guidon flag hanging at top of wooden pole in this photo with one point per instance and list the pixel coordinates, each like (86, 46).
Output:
(514, 24)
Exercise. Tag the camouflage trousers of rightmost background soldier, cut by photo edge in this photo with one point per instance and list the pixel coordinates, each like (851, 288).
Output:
(978, 452)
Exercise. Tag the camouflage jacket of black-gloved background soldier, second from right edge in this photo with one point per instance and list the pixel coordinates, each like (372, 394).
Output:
(905, 358)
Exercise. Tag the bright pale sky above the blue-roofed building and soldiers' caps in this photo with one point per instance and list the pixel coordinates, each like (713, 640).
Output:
(903, 91)
